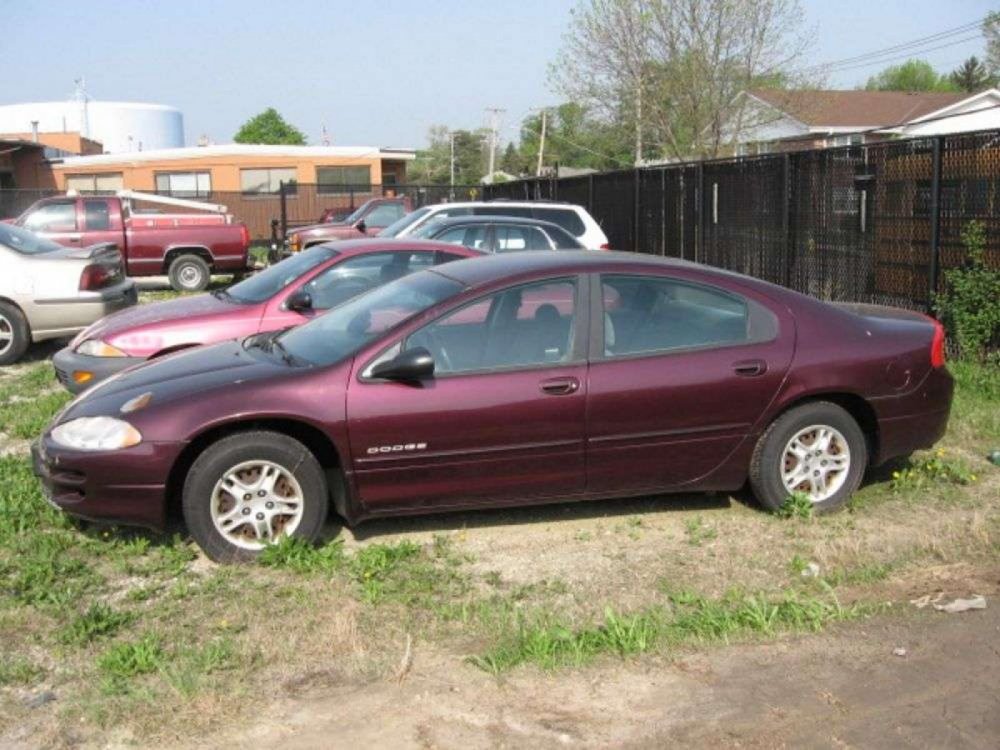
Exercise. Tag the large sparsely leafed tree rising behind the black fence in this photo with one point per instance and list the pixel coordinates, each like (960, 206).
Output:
(674, 69)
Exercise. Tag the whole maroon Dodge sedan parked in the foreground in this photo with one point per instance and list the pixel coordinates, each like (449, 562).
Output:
(506, 380)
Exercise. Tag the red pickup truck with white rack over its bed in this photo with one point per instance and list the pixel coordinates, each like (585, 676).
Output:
(187, 247)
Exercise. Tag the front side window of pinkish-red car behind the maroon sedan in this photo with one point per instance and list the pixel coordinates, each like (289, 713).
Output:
(353, 276)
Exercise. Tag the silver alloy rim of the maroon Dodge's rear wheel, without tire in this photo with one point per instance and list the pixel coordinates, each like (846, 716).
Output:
(816, 461)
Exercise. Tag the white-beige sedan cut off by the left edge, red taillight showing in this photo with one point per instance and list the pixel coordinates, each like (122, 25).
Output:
(48, 291)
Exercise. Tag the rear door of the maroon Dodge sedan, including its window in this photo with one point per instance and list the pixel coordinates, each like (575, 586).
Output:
(680, 371)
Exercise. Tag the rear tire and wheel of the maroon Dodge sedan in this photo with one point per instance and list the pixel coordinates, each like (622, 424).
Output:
(817, 448)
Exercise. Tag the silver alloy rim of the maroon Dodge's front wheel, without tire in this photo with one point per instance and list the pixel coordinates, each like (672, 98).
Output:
(255, 503)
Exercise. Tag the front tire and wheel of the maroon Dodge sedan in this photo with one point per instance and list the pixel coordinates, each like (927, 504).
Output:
(235, 526)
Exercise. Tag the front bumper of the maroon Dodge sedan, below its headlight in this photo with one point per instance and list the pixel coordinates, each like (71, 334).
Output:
(127, 486)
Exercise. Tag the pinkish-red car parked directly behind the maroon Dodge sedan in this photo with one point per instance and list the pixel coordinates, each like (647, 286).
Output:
(280, 296)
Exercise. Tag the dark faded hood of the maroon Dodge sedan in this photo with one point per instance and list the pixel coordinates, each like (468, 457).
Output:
(185, 375)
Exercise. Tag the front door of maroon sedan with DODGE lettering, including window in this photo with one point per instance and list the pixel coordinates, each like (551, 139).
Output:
(501, 421)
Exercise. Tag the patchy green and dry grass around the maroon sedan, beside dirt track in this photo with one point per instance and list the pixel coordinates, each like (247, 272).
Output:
(126, 626)
